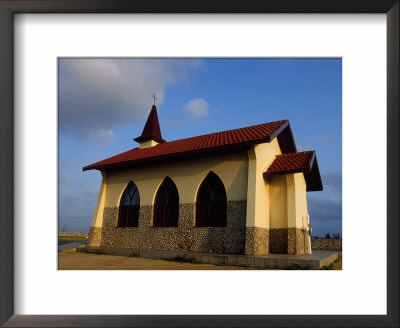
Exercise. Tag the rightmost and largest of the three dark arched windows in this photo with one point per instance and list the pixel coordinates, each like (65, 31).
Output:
(211, 203)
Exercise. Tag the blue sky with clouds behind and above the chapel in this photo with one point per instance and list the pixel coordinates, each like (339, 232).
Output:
(103, 105)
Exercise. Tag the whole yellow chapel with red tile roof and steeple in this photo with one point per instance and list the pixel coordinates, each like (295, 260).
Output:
(240, 191)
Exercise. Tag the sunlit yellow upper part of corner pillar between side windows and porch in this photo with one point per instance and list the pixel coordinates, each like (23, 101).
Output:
(260, 158)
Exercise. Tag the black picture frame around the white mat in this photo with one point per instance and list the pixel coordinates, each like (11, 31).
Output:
(10, 7)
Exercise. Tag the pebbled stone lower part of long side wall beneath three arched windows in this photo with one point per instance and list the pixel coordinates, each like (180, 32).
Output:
(185, 237)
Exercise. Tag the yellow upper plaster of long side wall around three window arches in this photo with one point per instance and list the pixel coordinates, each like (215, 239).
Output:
(187, 176)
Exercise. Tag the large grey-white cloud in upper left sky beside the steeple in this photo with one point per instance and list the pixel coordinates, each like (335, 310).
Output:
(96, 95)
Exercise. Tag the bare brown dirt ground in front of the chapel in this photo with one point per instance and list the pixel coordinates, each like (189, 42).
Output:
(72, 260)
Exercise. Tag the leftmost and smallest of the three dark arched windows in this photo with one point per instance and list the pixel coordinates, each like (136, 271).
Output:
(128, 211)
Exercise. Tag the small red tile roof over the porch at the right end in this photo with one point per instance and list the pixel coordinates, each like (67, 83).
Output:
(305, 162)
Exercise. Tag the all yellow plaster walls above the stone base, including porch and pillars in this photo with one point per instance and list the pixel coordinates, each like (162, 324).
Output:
(277, 202)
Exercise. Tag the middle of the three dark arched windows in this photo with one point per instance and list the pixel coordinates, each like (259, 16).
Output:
(166, 206)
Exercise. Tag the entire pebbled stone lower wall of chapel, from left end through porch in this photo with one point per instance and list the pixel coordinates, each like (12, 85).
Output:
(235, 238)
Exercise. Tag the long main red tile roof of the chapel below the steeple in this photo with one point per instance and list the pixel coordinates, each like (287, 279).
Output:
(220, 141)
